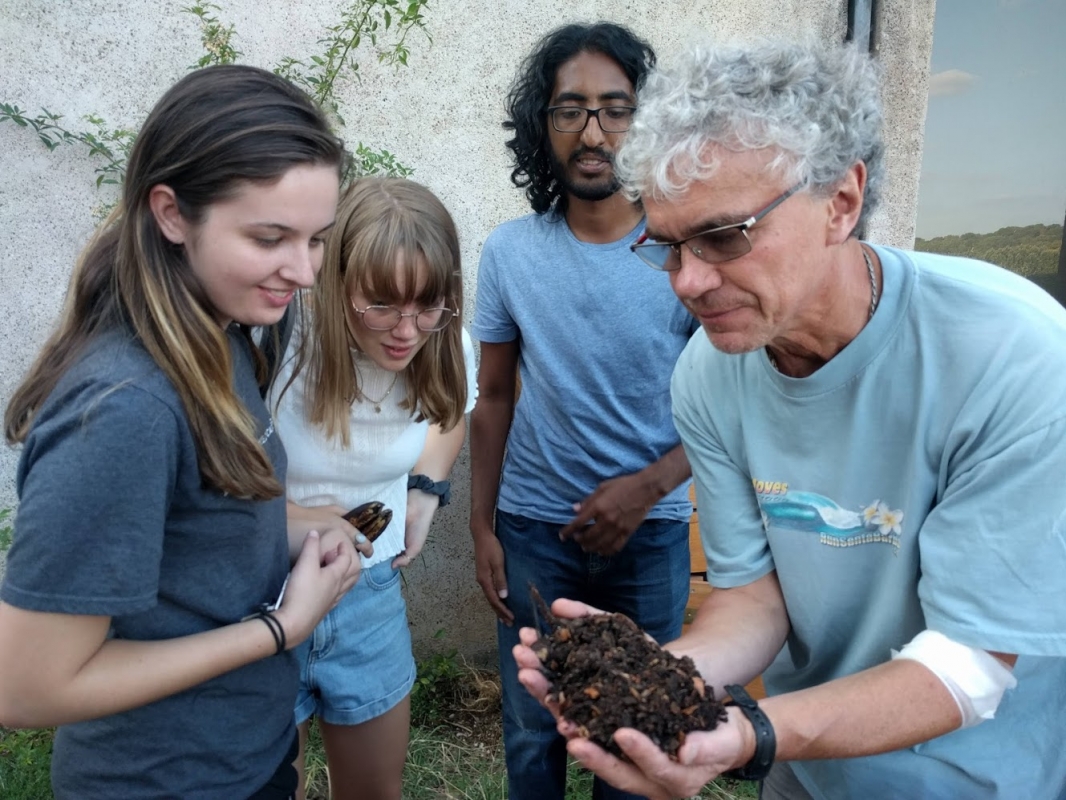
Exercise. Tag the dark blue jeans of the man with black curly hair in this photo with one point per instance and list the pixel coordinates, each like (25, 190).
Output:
(649, 582)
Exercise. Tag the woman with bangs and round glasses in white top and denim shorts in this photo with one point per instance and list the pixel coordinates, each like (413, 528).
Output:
(370, 408)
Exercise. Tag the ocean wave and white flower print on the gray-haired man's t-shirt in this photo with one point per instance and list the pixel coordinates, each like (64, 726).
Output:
(835, 525)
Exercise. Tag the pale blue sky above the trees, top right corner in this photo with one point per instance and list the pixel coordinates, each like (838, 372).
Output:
(995, 152)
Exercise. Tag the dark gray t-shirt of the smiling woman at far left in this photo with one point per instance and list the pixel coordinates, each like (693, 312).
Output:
(114, 521)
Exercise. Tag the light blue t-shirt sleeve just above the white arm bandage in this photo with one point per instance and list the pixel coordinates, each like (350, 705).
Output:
(994, 549)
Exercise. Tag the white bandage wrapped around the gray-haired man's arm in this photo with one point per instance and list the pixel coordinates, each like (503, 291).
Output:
(976, 679)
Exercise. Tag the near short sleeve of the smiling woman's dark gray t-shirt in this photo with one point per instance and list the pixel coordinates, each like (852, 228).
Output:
(96, 481)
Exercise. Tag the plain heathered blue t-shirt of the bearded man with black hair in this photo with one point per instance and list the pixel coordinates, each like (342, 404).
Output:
(600, 333)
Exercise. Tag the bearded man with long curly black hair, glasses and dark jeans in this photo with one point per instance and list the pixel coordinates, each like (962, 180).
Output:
(592, 499)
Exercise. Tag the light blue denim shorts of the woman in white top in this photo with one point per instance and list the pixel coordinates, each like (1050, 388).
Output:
(358, 665)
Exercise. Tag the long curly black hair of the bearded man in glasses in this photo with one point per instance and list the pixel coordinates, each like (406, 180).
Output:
(529, 98)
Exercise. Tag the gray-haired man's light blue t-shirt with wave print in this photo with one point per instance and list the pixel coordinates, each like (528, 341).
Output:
(918, 481)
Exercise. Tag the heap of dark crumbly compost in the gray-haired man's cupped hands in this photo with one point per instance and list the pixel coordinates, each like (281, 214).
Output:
(606, 674)
